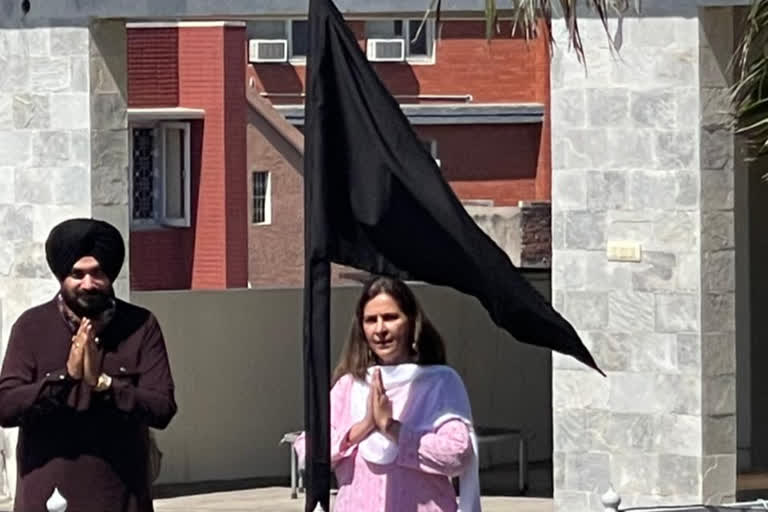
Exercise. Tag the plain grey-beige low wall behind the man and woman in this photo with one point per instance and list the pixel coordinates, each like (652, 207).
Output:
(236, 359)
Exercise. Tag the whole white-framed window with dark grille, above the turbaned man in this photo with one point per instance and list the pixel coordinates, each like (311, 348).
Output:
(160, 185)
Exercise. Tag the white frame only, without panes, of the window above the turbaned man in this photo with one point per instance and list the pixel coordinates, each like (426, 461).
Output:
(159, 218)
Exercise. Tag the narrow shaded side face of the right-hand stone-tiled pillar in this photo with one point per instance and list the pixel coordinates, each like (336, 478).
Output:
(717, 43)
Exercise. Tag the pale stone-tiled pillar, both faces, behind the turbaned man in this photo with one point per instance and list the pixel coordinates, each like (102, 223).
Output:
(63, 152)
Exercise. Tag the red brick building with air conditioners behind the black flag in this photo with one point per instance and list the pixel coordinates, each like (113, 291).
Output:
(480, 106)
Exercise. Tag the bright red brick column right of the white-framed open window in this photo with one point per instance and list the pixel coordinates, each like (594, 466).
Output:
(212, 77)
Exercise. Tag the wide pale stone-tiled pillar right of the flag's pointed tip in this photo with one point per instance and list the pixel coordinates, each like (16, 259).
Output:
(628, 150)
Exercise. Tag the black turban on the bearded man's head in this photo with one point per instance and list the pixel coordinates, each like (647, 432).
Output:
(76, 238)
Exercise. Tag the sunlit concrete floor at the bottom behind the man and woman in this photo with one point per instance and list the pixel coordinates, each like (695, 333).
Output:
(277, 499)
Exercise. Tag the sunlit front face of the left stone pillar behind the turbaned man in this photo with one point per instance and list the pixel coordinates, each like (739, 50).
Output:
(45, 154)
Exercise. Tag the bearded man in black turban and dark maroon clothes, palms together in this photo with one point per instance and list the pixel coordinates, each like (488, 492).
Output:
(84, 377)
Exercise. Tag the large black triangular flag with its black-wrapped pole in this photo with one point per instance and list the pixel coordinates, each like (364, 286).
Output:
(376, 200)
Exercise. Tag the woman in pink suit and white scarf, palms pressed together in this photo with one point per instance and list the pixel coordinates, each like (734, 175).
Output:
(401, 424)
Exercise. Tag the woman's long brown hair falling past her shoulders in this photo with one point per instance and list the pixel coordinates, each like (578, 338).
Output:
(424, 341)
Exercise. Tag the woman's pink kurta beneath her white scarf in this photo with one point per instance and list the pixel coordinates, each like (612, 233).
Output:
(417, 481)
